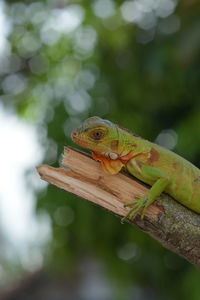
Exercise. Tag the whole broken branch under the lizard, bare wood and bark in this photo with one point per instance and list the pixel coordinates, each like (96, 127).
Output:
(174, 226)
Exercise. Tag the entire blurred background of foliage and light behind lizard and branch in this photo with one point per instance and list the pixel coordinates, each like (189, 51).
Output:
(135, 62)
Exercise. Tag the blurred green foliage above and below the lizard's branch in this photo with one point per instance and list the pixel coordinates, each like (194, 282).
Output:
(66, 61)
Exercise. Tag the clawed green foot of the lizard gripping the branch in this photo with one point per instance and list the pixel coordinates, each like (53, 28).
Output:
(140, 204)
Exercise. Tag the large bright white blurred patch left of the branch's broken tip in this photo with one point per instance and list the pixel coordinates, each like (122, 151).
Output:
(19, 152)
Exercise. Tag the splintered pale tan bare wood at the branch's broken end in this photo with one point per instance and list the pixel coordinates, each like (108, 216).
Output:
(86, 179)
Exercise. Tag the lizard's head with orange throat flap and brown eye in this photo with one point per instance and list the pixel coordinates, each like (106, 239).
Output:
(102, 138)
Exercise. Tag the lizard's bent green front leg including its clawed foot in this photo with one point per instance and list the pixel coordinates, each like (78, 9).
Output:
(142, 203)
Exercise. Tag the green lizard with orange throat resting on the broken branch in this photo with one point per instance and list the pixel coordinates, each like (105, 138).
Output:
(165, 171)
